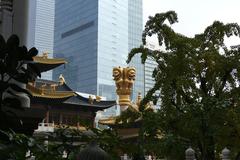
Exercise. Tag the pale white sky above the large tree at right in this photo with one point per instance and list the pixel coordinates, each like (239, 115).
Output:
(195, 15)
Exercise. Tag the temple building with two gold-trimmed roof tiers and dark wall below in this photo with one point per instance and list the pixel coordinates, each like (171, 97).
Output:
(63, 105)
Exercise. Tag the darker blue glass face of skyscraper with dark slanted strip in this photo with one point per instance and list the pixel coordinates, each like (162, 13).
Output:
(76, 40)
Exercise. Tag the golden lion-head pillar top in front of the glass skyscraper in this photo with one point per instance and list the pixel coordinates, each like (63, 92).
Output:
(124, 79)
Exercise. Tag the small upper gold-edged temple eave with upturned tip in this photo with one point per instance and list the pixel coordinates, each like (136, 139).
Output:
(44, 63)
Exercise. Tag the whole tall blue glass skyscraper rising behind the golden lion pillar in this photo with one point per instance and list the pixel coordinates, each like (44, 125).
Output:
(94, 36)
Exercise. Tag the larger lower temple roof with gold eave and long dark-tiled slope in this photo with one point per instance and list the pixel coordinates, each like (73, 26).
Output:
(47, 91)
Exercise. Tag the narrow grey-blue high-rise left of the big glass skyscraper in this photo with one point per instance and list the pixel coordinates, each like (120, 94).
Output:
(41, 28)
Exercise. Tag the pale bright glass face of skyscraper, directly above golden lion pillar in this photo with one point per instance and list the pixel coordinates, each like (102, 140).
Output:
(112, 42)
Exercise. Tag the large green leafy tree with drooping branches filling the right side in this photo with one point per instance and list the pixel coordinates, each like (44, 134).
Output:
(198, 80)
